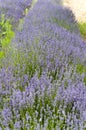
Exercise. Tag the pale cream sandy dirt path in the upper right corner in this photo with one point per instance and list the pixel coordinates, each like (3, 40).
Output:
(78, 7)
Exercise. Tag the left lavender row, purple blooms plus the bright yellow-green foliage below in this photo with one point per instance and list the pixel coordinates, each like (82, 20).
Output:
(11, 14)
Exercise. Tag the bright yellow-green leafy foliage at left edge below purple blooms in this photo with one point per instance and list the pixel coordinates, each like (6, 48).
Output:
(6, 34)
